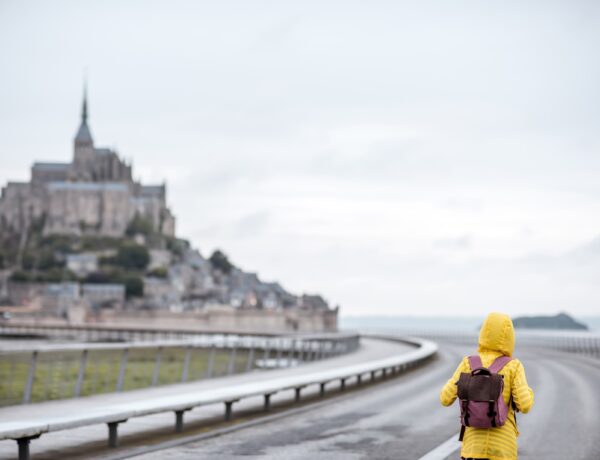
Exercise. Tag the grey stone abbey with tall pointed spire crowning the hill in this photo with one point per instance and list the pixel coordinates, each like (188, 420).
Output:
(93, 195)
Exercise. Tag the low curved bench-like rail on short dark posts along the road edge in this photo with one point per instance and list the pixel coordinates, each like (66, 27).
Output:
(113, 415)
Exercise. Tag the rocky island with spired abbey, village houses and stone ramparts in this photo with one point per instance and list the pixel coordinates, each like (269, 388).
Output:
(84, 241)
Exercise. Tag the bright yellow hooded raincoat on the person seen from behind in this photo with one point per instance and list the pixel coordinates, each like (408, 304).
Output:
(496, 338)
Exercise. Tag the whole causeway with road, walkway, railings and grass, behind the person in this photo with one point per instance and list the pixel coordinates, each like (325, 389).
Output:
(369, 395)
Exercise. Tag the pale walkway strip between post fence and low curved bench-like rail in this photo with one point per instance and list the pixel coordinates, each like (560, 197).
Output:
(90, 442)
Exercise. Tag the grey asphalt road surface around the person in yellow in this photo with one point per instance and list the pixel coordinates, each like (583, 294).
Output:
(402, 418)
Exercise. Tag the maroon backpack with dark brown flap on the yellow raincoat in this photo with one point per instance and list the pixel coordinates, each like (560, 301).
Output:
(480, 395)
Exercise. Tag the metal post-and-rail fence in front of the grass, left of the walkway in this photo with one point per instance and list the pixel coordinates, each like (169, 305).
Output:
(58, 371)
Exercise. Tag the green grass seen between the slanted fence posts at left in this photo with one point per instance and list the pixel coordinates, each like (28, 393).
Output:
(56, 373)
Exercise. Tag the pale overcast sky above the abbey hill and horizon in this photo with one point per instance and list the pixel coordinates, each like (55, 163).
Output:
(423, 157)
